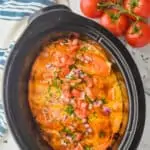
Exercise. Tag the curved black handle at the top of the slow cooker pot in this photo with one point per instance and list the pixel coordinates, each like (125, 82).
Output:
(50, 8)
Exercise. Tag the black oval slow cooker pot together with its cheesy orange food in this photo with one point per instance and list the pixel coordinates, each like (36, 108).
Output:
(69, 84)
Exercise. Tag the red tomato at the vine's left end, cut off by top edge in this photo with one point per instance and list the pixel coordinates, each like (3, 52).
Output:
(89, 8)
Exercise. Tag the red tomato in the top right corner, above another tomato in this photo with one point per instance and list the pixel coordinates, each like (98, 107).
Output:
(139, 7)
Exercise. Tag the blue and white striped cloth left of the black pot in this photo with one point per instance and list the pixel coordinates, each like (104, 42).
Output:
(13, 20)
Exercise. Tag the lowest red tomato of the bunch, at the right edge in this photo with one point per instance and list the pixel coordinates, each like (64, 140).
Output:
(138, 35)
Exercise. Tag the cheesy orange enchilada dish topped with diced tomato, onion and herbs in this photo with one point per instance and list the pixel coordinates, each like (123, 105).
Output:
(75, 96)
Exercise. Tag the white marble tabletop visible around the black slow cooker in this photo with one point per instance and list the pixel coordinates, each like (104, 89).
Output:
(144, 67)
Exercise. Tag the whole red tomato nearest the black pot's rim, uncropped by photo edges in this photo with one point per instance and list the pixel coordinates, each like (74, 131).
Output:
(115, 23)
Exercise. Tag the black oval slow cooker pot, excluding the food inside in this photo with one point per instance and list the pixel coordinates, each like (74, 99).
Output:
(47, 25)
